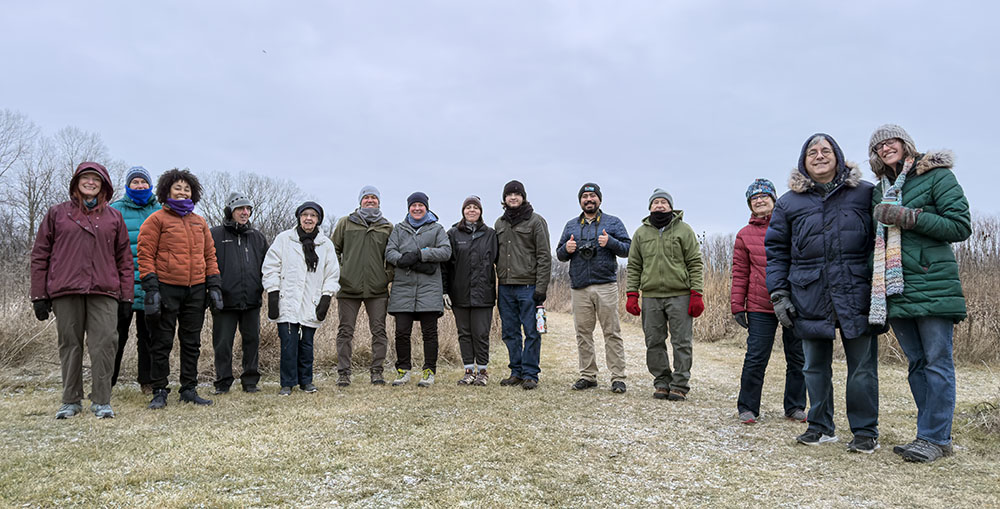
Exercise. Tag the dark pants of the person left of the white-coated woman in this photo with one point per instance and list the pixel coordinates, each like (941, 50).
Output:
(224, 324)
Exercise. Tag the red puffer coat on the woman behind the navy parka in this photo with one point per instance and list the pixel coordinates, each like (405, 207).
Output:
(749, 290)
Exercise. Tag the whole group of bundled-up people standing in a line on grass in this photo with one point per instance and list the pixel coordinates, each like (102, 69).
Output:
(834, 252)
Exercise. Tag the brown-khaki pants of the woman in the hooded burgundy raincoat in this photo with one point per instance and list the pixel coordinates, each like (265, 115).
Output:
(97, 317)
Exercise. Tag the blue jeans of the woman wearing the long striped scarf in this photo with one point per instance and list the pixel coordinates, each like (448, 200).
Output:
(927, 343)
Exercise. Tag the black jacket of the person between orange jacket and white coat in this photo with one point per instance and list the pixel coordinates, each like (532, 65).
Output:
(240, 251)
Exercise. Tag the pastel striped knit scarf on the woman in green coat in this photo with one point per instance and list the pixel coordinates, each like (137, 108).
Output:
(887, 274)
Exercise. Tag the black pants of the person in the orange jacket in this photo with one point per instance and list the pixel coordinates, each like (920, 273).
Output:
(182, 307)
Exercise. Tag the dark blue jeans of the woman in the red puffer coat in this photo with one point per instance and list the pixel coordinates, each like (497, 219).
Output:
(760, 341)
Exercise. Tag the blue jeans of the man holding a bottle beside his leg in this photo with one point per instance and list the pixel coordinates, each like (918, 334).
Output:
(516, 304)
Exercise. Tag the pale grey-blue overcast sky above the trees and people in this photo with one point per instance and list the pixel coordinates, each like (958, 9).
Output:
(457, 98)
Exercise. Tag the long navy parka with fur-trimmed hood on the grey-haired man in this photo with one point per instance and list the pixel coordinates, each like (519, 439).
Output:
(819, 248)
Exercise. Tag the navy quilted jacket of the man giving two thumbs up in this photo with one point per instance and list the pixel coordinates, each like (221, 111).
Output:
(602, 266)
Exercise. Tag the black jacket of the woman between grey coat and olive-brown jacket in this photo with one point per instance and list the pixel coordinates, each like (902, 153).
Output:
(470, 275)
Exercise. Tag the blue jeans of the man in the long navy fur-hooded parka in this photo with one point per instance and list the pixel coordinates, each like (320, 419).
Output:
(862, 384)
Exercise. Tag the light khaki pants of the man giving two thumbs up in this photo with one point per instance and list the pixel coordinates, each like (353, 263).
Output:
(592, 304)
